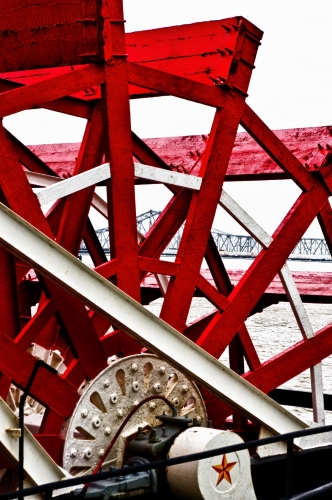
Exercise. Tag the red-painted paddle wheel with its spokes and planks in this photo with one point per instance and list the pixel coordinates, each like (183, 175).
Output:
(95, 70)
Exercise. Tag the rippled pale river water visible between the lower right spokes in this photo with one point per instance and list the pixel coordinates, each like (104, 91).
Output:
(272, 331)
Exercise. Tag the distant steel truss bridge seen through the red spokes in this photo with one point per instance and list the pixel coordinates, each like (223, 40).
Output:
(229, 245)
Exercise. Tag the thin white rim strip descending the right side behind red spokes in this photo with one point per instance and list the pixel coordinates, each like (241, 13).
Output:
(301, 316)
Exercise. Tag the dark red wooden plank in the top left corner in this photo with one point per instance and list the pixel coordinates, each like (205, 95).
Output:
(45, 33)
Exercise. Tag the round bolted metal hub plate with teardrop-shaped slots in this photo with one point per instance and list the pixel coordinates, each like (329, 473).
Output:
(109, 398)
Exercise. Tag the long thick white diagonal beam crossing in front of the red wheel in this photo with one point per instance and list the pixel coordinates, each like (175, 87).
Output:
(33, 247)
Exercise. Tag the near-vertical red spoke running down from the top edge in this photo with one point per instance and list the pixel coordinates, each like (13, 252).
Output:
(121, 193)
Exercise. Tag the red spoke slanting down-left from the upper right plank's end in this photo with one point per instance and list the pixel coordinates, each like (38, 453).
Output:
(201, 213)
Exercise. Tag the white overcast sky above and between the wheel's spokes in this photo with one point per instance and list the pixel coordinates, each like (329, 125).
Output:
(290, 88)
